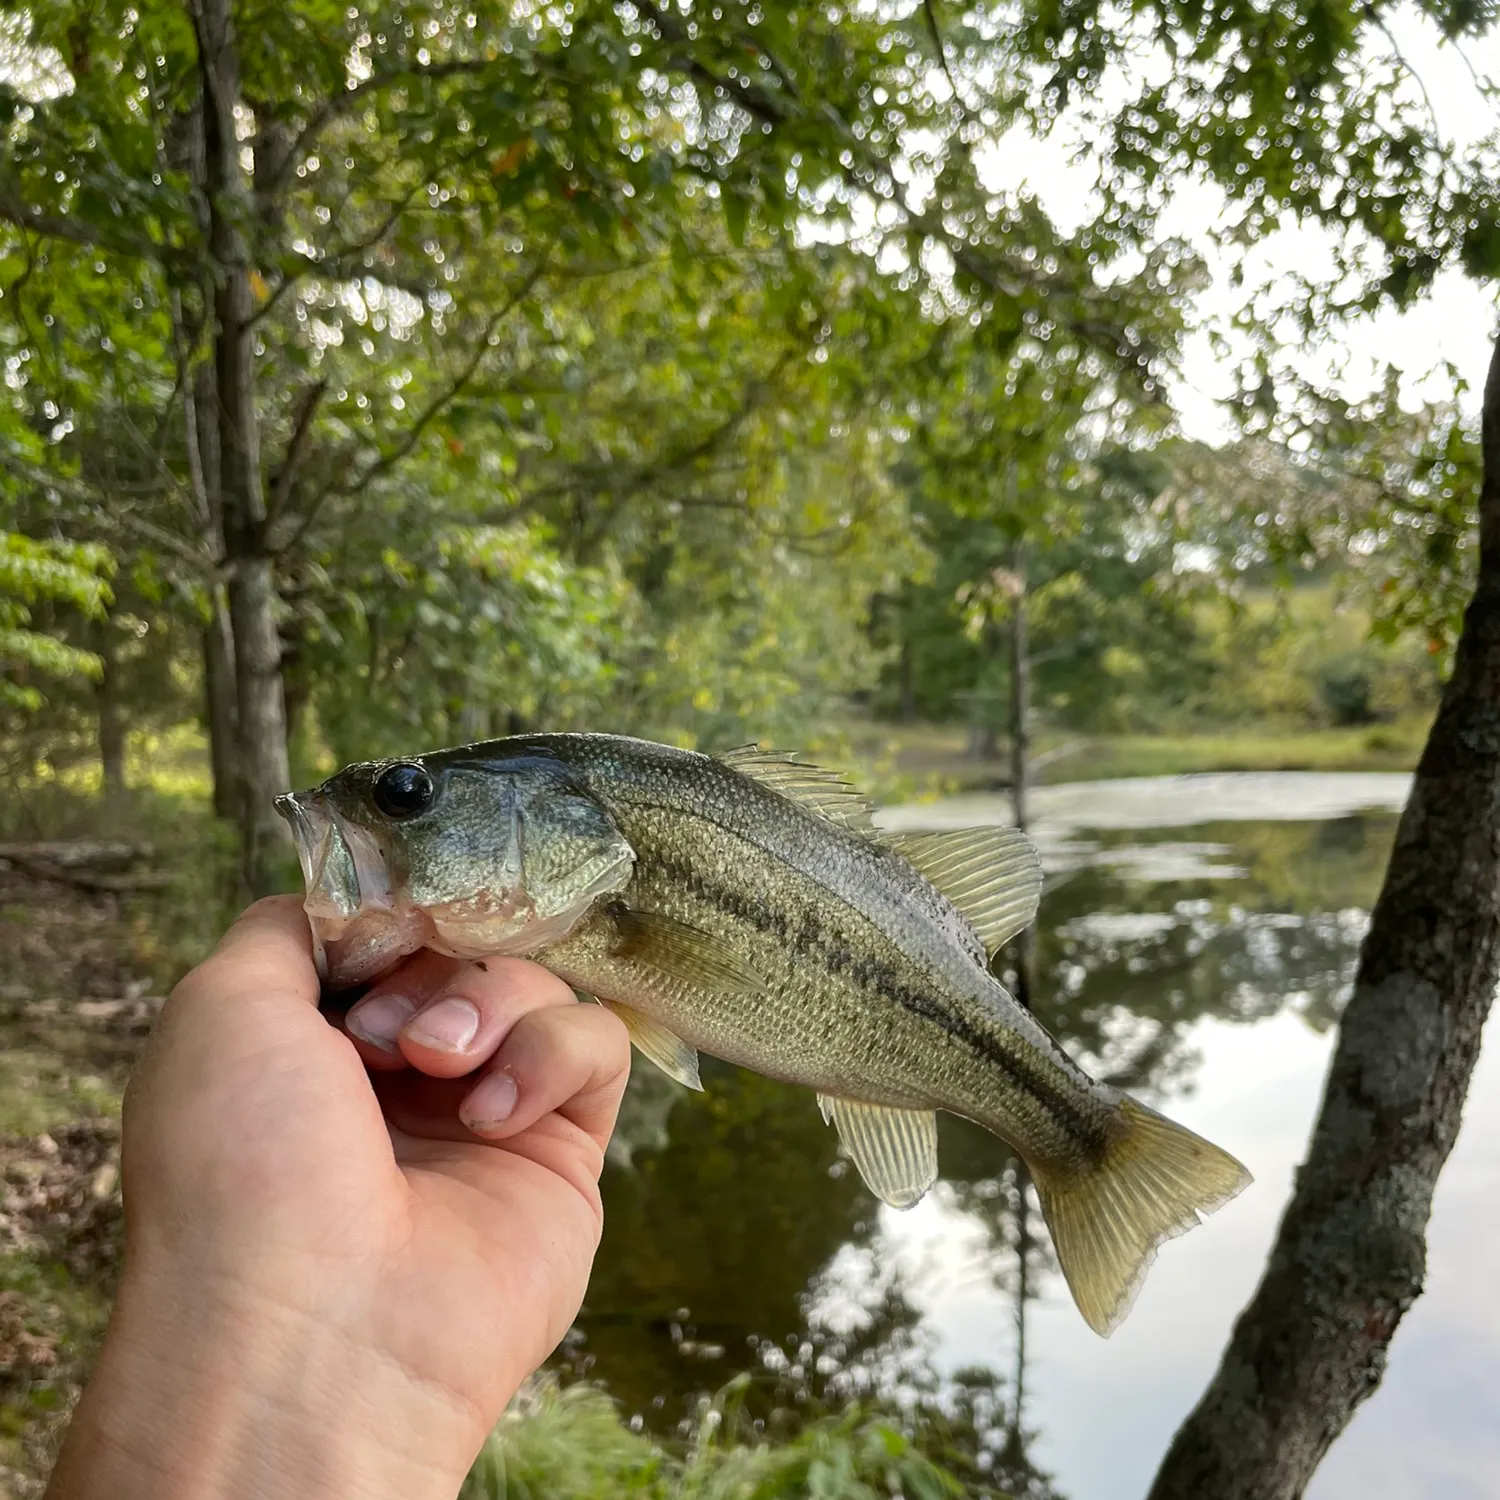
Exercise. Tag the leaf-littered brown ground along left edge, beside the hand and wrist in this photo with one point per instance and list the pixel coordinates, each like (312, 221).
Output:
(80, 986)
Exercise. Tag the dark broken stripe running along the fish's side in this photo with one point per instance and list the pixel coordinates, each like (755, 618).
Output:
(872, 973)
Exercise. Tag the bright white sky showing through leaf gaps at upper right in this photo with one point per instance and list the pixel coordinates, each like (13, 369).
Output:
(1454, 325)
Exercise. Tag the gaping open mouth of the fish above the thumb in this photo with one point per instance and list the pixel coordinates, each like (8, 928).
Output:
(359, 931)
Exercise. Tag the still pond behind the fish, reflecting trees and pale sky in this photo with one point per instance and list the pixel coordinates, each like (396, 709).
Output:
(1196, 943)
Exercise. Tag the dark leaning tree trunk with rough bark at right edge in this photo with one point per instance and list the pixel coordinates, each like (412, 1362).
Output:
(1351, 1253)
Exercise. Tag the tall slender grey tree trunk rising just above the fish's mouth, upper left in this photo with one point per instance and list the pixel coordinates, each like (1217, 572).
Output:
(262, 769)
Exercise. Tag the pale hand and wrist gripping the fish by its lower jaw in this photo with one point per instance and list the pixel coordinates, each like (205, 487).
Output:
(346, 1246)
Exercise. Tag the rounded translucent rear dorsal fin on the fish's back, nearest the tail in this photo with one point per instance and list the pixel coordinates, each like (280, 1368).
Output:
(991, 875)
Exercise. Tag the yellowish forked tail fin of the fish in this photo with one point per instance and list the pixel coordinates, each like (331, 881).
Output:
(1108, 1220)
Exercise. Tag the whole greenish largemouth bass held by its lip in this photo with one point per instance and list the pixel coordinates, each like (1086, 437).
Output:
(746, 907)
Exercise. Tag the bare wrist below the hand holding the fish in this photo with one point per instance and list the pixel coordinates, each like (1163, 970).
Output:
(205, 1397)
